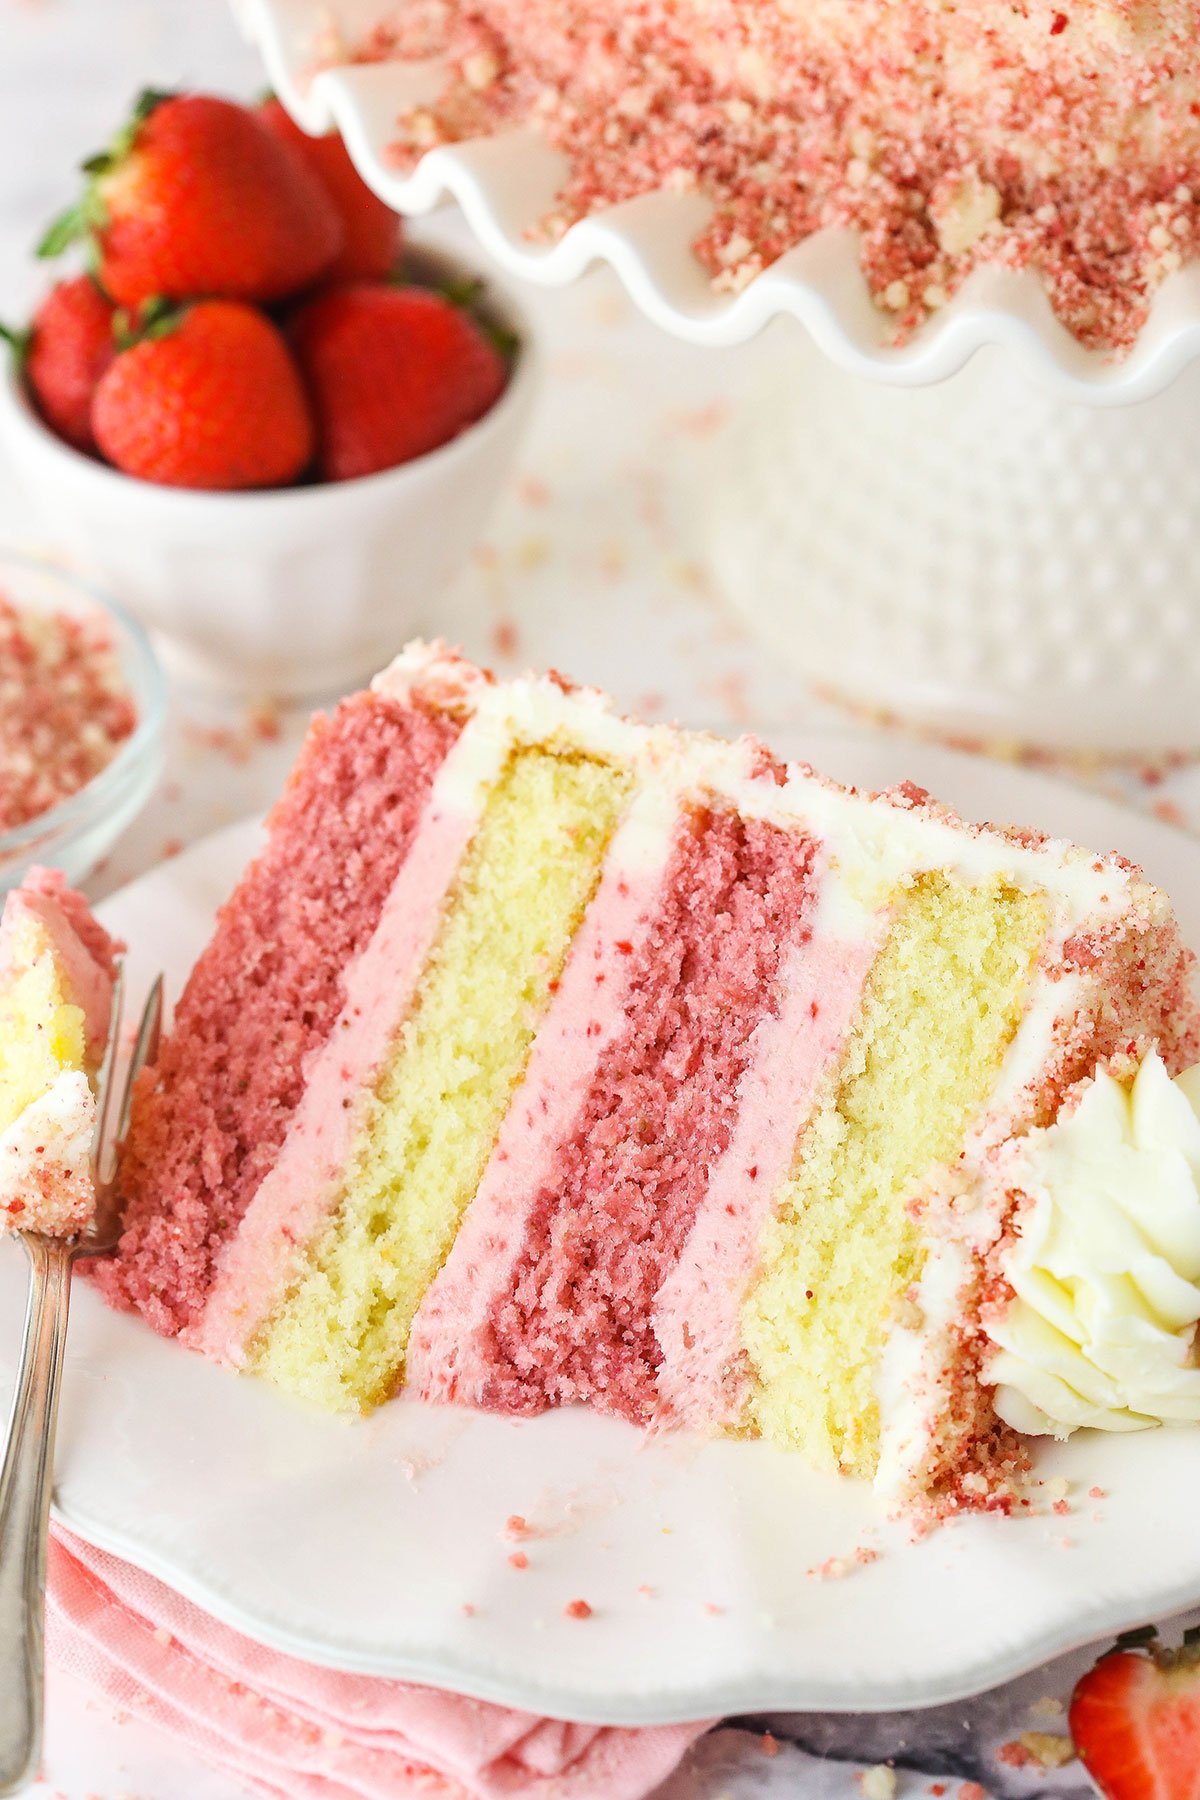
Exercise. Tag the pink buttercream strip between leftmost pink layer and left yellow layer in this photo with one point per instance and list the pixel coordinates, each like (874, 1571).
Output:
(298, 1196)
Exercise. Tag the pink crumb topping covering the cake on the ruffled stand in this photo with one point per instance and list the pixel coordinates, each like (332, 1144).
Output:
(945, 138)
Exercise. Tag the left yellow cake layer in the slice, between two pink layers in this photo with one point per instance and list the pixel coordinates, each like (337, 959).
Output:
(438, 1104)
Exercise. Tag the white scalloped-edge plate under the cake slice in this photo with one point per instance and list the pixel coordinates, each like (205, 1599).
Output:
(363, 1543)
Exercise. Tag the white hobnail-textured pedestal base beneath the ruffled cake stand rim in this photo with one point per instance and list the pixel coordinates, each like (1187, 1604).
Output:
(980, 557)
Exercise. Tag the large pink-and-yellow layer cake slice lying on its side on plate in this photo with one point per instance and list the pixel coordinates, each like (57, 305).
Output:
(544, 1057)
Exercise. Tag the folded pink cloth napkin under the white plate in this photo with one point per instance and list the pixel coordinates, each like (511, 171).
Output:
(296, 1731)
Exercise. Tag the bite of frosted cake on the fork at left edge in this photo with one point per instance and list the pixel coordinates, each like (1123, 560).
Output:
(57, 984)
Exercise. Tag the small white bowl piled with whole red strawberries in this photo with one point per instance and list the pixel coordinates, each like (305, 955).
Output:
(260, 417)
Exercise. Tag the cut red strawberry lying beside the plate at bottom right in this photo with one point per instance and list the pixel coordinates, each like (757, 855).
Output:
(1136, 1723)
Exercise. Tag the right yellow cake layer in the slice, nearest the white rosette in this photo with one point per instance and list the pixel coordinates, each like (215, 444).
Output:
(942, 1005)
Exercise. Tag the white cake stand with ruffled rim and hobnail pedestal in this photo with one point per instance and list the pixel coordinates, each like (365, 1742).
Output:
(989, 530)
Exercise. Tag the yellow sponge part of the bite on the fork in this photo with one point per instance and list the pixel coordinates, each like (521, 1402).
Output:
(42, 1034)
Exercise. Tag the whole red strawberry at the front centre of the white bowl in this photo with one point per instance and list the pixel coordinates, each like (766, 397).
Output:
(208, 397)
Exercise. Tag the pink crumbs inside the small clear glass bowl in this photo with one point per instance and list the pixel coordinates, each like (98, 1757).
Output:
(64, 708)
